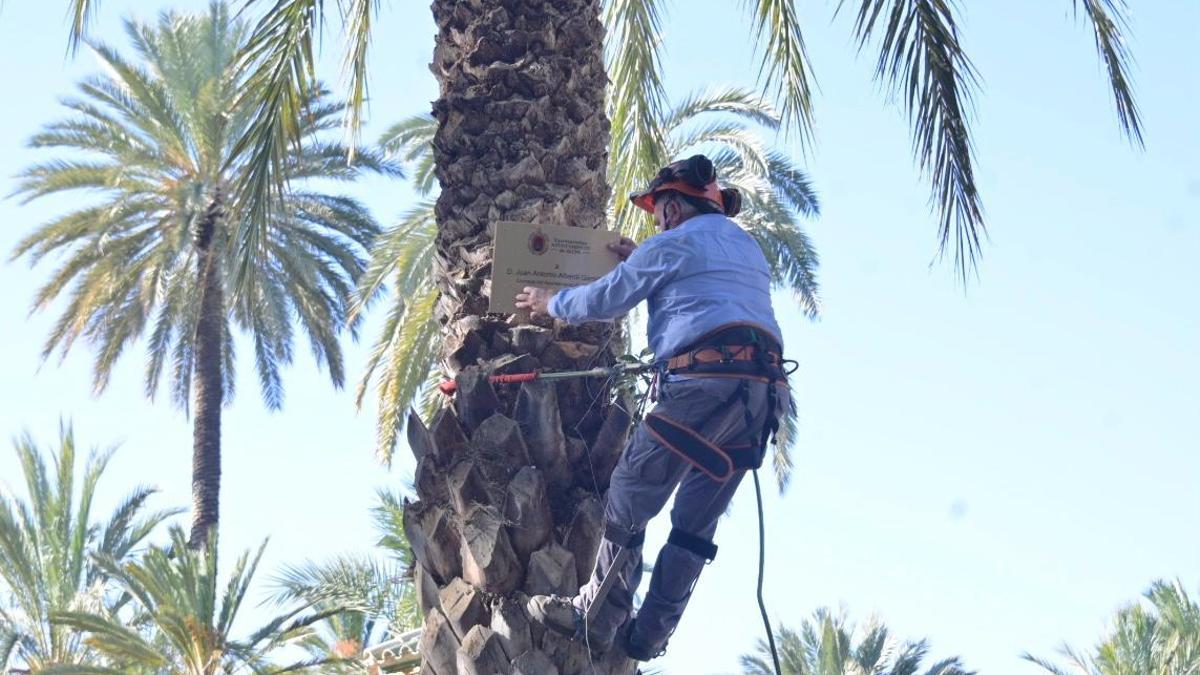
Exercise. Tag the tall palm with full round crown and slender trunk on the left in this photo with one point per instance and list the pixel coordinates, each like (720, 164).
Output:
(160, 256)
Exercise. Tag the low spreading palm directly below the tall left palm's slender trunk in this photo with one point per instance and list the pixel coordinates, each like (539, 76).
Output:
(181, 620)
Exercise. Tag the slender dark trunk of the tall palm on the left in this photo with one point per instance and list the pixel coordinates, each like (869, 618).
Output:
(207, 381)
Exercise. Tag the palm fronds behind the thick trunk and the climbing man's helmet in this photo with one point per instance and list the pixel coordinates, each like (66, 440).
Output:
(727, 124)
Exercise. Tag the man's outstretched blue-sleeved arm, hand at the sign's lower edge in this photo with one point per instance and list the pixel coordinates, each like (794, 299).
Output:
(611, 296)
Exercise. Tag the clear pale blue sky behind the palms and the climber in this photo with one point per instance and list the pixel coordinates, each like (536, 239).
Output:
(997, 470)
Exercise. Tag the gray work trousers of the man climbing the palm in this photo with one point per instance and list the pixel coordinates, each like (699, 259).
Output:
(644, 481)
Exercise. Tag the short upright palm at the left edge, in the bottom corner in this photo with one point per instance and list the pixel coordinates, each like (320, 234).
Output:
(46, 548)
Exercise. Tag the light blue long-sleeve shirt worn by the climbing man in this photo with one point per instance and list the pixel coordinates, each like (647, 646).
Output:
(695, 278)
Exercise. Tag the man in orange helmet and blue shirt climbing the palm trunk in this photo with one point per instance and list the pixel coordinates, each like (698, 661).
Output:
(721, 390)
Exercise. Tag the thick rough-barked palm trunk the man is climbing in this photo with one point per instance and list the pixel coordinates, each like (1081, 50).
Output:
(511, 481)
